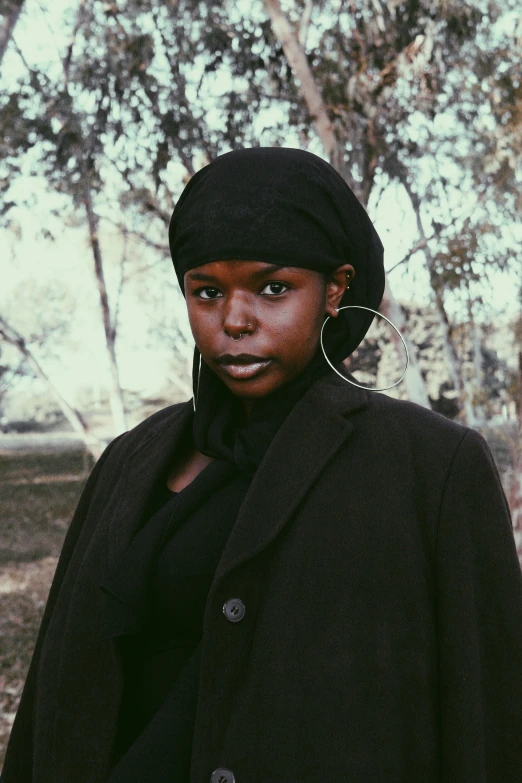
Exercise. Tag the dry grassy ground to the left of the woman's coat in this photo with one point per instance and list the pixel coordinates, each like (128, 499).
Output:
(38, 495)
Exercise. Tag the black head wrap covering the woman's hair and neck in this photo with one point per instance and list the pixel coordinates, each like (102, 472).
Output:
(277, 205)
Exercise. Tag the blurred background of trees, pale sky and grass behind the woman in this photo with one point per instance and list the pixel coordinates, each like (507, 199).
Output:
(106, 111)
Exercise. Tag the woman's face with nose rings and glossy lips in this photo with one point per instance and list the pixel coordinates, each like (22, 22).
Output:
(279, 312)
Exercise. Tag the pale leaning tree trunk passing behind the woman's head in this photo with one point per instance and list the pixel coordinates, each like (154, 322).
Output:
(298, 63)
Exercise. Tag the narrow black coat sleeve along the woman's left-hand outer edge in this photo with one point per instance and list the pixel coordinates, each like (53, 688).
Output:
(18, 760)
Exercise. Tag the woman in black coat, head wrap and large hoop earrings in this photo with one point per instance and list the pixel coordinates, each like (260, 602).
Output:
(286, 579)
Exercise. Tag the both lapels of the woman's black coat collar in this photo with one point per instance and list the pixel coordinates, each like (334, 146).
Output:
(308, 438)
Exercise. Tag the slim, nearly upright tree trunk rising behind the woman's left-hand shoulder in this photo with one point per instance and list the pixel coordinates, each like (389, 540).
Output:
(116, 395)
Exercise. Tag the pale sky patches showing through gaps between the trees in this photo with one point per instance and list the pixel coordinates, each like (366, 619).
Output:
(27, 256)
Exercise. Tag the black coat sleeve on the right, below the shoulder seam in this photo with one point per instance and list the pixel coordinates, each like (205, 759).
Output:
(479, 606)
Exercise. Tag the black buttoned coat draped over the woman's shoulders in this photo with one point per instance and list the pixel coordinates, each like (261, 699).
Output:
(382, 635)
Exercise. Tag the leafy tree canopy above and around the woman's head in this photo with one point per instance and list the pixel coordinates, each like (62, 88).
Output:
(423, 93)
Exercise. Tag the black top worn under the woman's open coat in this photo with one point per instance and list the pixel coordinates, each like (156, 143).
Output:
(161, 660)
